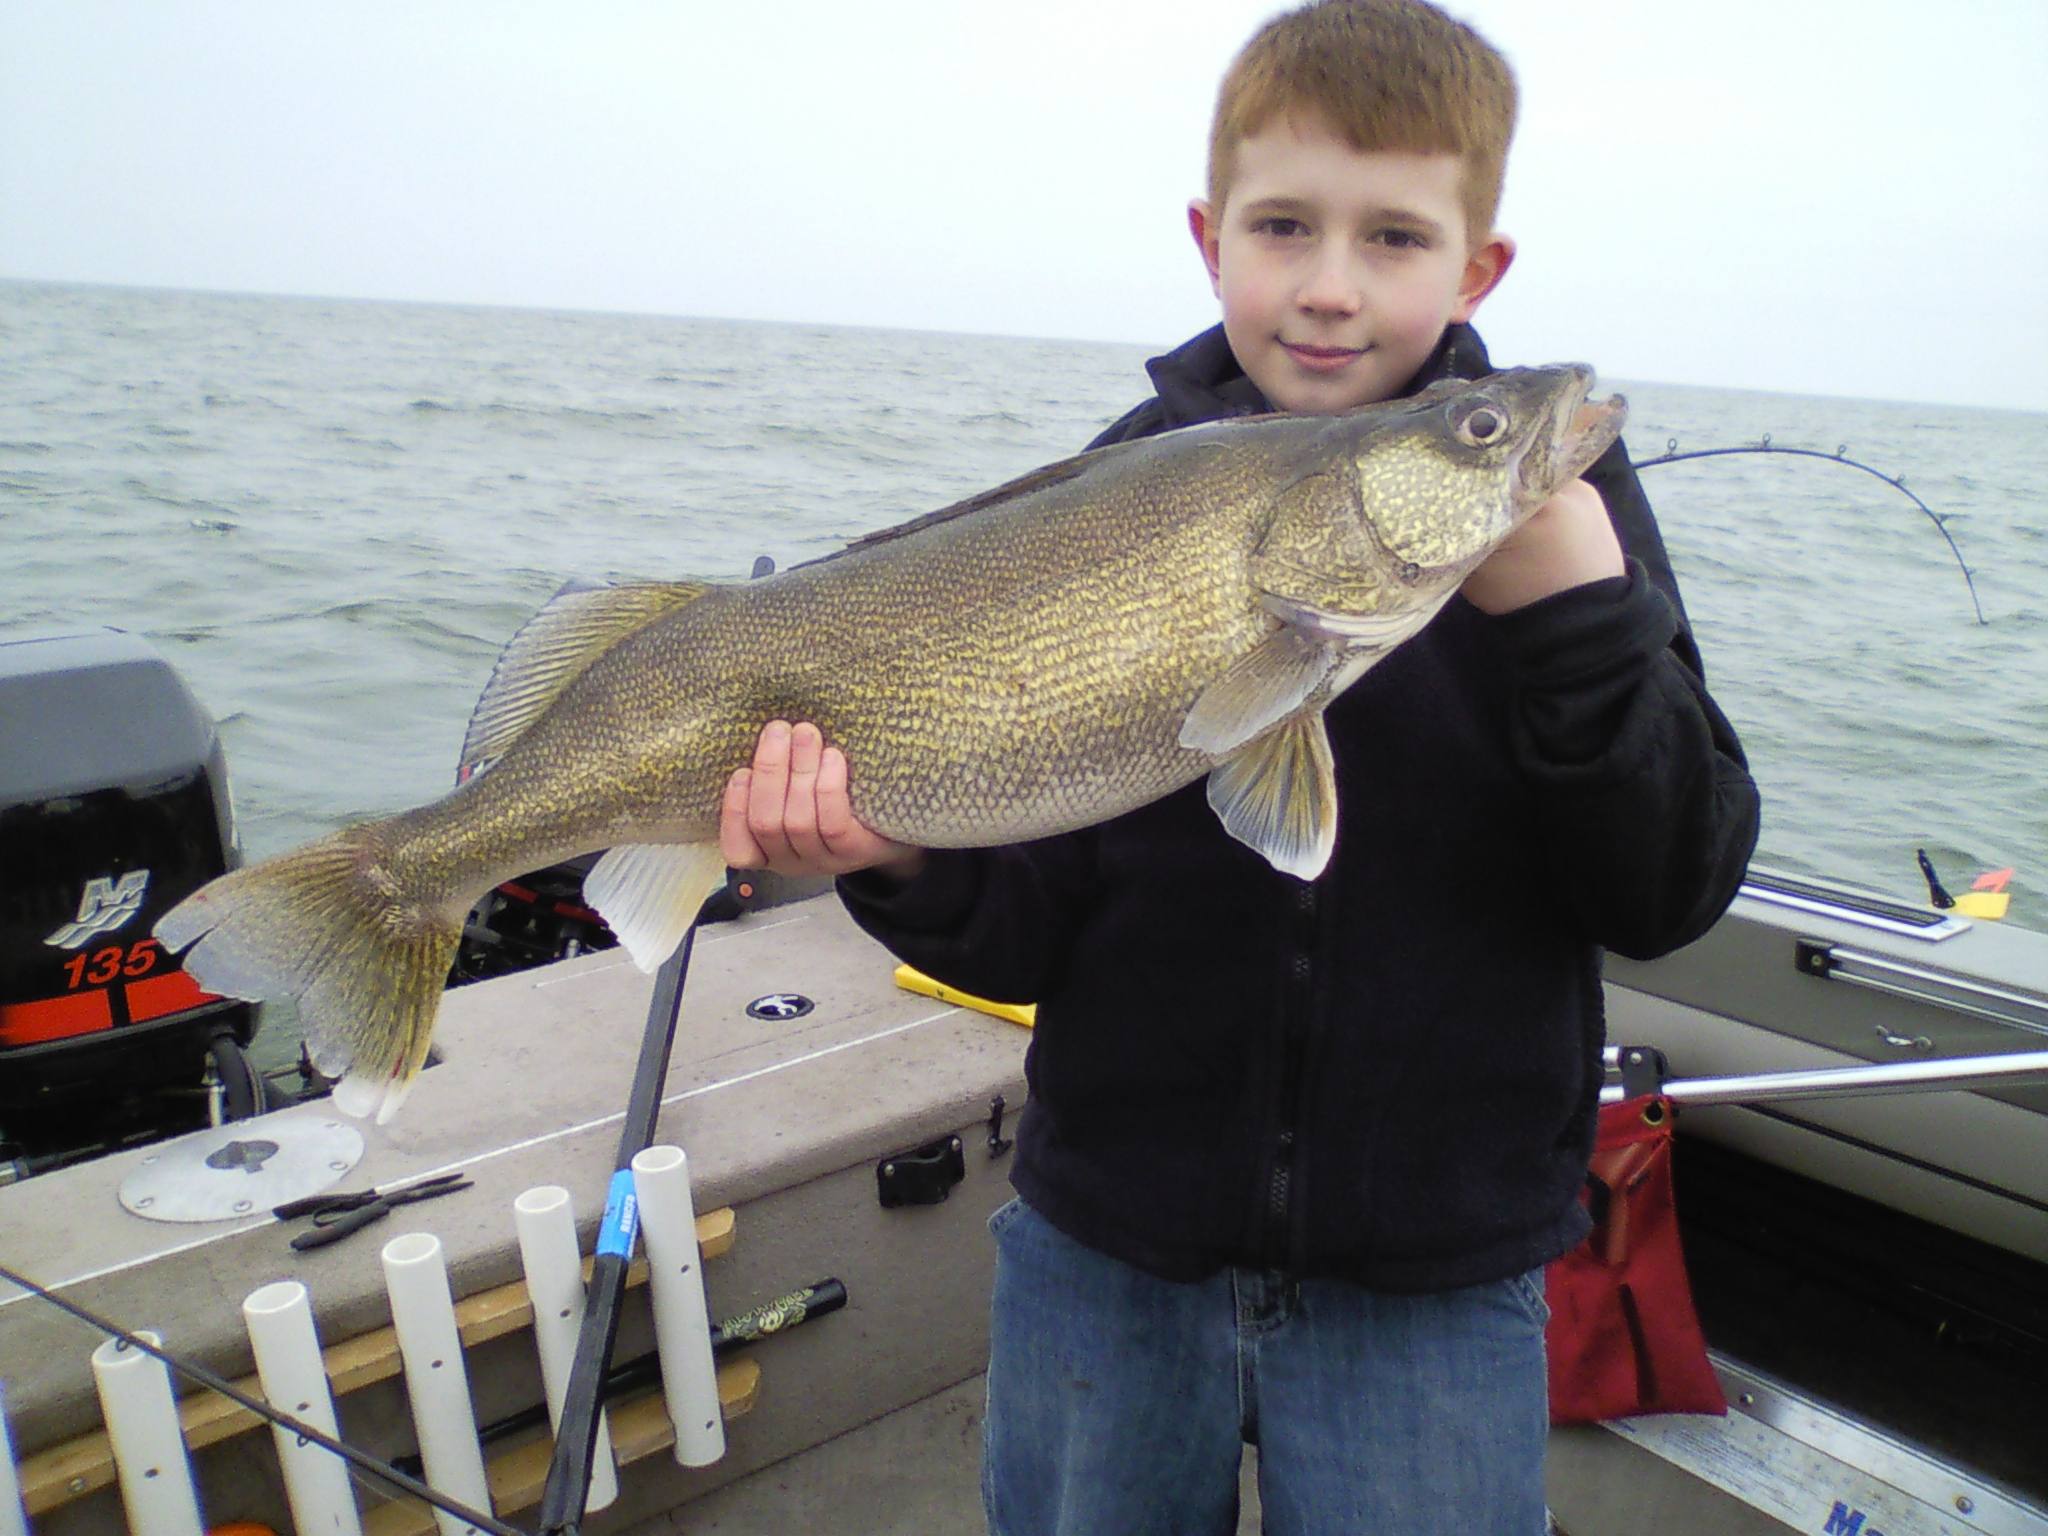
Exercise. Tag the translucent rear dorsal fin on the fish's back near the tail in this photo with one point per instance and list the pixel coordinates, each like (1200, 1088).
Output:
(554, 648)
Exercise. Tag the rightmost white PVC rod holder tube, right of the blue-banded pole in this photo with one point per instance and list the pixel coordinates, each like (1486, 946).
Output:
(681, 1322)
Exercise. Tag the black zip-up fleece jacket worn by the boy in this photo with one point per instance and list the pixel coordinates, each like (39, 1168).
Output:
(1388, 1074)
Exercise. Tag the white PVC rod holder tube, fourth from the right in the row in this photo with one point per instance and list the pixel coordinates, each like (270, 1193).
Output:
(294, 1377)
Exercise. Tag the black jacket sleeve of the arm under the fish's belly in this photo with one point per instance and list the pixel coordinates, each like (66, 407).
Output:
(996, 923)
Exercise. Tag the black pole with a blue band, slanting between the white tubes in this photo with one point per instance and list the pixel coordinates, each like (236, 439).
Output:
(577, 1433)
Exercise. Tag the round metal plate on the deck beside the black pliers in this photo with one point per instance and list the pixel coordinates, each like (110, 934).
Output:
(243, 1170)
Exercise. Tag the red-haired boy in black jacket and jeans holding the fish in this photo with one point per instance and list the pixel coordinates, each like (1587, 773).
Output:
(1297, 1152)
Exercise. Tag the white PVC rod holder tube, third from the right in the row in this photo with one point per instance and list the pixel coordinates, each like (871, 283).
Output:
(423, 1314)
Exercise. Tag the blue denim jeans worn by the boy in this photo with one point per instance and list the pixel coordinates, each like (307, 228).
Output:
(1119, 1404)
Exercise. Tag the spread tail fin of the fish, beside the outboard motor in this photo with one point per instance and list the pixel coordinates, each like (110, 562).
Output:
(331, 929)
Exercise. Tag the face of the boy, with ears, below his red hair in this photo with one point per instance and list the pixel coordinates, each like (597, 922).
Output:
(1338, 269)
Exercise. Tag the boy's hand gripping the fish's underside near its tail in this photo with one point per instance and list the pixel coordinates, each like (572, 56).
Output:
(790, 814)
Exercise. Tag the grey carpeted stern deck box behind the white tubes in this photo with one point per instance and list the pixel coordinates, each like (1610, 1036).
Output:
(783, 1121)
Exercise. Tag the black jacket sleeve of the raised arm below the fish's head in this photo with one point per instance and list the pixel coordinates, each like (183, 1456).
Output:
(1646, 804)
